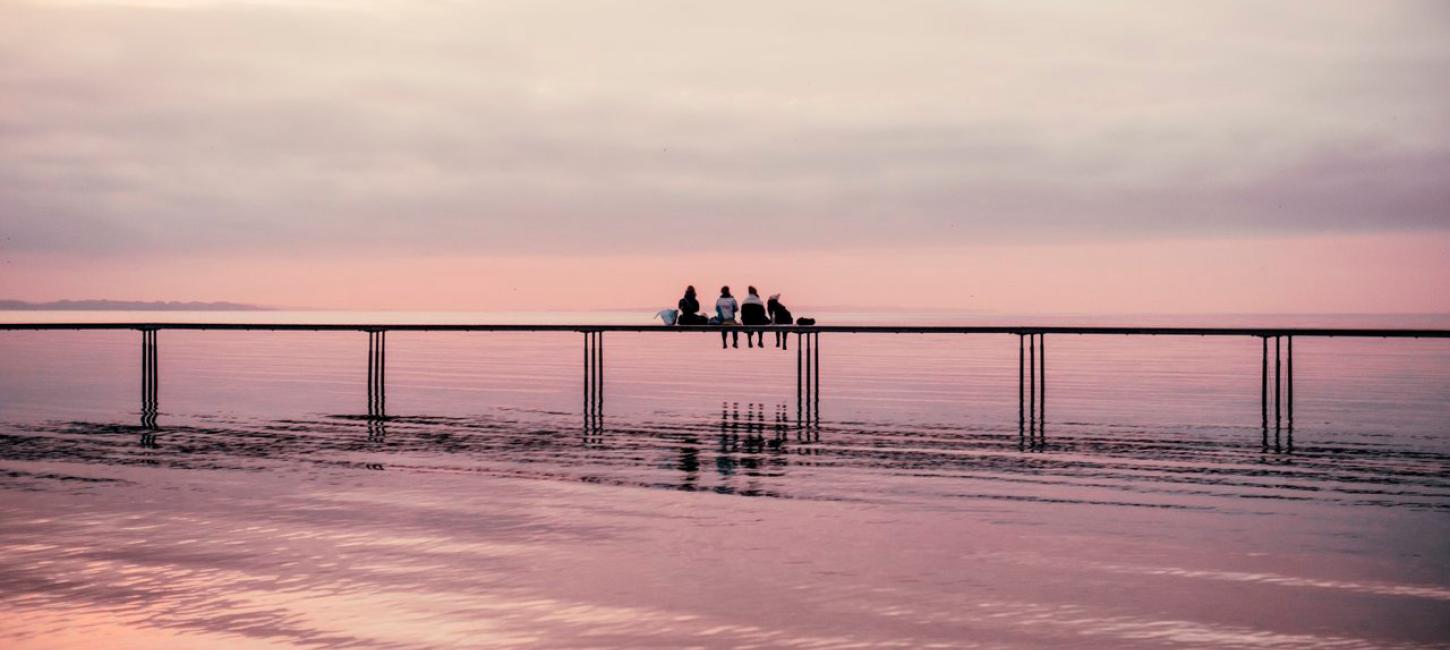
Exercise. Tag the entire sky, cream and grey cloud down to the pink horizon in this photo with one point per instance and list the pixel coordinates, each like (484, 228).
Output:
(993, 156)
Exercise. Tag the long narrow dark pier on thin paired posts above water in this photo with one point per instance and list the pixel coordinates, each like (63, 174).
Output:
(1032, 361)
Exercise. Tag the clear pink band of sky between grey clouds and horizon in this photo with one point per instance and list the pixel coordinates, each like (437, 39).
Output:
(1336, 273)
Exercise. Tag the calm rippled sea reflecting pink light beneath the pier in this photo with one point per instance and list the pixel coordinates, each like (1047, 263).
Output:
(268, 509)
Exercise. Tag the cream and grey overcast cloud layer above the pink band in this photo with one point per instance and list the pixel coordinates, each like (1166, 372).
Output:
(183, 127)
